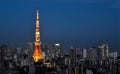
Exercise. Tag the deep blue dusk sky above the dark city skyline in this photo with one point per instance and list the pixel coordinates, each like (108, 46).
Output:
(81, 23)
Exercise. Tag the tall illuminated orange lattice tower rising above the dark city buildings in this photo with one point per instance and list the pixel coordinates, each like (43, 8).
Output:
(37, 54)
